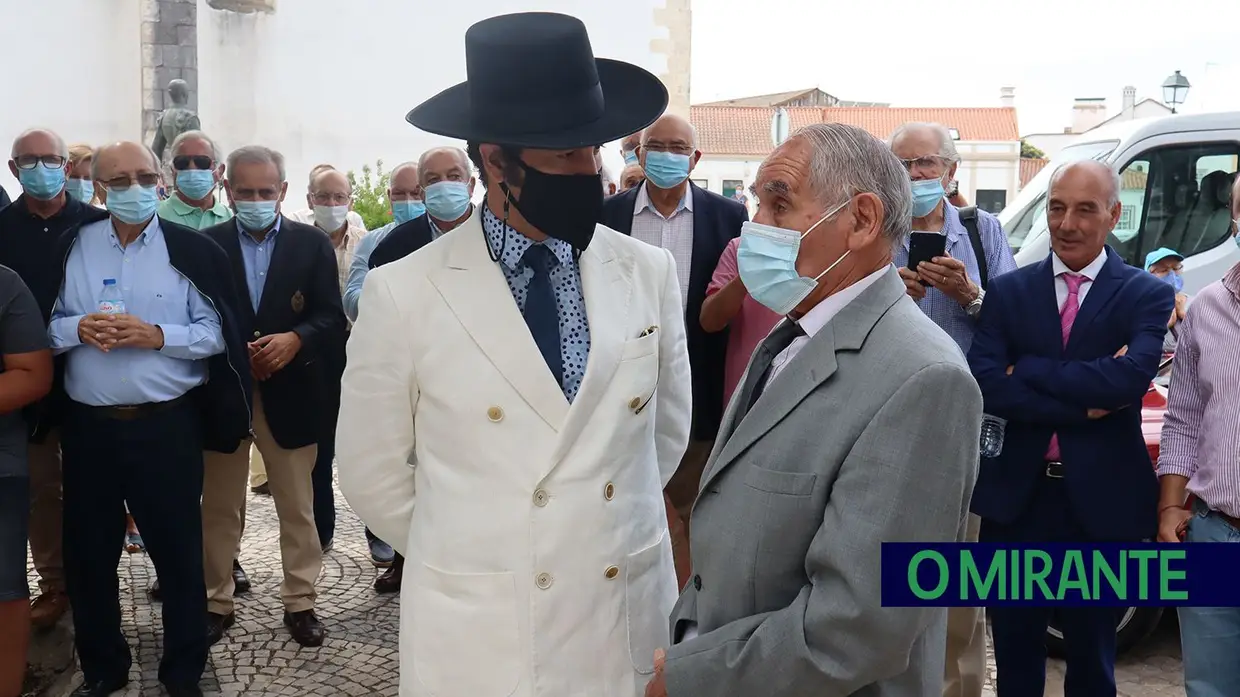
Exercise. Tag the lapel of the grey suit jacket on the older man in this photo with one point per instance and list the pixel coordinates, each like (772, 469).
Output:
(813, 366)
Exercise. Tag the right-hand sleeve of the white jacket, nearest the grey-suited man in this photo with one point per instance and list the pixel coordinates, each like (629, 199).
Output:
(674, 396)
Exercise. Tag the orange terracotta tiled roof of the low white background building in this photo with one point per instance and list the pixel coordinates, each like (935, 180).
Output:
(746, 131)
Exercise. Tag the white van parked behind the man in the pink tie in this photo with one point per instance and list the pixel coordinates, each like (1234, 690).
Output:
(1176, 177)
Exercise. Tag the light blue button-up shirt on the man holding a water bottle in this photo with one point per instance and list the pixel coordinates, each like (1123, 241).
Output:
(156, 293)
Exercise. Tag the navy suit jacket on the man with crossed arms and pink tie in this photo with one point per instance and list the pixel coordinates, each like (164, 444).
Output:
(1109, 476)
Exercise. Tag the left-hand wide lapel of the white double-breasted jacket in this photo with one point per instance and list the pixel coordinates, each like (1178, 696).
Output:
(478, 293)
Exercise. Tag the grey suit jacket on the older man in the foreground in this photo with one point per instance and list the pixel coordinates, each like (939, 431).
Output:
(869, 436)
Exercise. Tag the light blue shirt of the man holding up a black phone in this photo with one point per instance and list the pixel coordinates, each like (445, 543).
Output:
(945, 312)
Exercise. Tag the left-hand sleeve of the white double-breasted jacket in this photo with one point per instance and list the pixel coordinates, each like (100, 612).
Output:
(375, 436)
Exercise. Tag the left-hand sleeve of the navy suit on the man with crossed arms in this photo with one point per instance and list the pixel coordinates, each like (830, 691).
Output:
(1009, 396)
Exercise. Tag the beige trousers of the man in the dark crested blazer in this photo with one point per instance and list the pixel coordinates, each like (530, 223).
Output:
(224, 503)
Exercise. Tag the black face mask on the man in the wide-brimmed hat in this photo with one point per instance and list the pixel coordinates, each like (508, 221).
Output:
(562, 206)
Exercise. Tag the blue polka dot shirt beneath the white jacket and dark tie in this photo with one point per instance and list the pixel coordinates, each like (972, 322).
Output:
(566, 280)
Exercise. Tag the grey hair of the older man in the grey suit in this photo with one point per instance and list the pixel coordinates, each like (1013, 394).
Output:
(846, 161)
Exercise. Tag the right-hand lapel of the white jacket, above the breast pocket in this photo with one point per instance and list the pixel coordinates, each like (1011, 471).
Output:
(607, 285)
